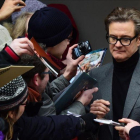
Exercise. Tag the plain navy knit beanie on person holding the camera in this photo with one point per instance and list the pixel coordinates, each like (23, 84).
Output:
(49, 26)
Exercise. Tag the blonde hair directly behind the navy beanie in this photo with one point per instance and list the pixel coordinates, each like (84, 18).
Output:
(19, 28)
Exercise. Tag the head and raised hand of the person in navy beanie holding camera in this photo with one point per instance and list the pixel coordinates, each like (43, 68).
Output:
(52, 29)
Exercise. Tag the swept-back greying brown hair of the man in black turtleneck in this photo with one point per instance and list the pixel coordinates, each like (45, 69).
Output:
(120, 14)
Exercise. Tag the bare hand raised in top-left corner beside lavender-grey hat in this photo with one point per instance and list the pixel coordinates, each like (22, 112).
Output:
(10, 6)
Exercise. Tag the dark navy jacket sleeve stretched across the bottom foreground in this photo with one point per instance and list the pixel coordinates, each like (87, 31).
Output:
(61, 127)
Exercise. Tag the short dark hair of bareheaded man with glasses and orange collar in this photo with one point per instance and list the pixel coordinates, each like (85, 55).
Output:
(35, 61)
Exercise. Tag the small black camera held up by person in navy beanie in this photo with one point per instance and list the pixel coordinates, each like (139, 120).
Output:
(83, 48)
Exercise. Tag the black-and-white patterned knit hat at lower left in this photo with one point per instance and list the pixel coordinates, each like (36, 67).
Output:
(13, 93)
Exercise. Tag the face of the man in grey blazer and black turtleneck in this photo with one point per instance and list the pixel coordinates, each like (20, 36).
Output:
(123, 30)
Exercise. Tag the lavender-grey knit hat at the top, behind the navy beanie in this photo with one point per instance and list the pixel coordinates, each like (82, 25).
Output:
(31, 6)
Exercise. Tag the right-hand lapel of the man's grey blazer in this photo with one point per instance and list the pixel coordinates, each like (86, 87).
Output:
(133, 91)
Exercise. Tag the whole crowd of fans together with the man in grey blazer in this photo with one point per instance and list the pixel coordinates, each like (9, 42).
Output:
(27, 109)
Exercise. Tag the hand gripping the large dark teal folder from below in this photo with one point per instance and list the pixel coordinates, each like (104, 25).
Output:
(87, 96)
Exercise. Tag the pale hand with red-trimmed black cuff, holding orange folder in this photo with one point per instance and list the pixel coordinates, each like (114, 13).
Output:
(22, 46)
